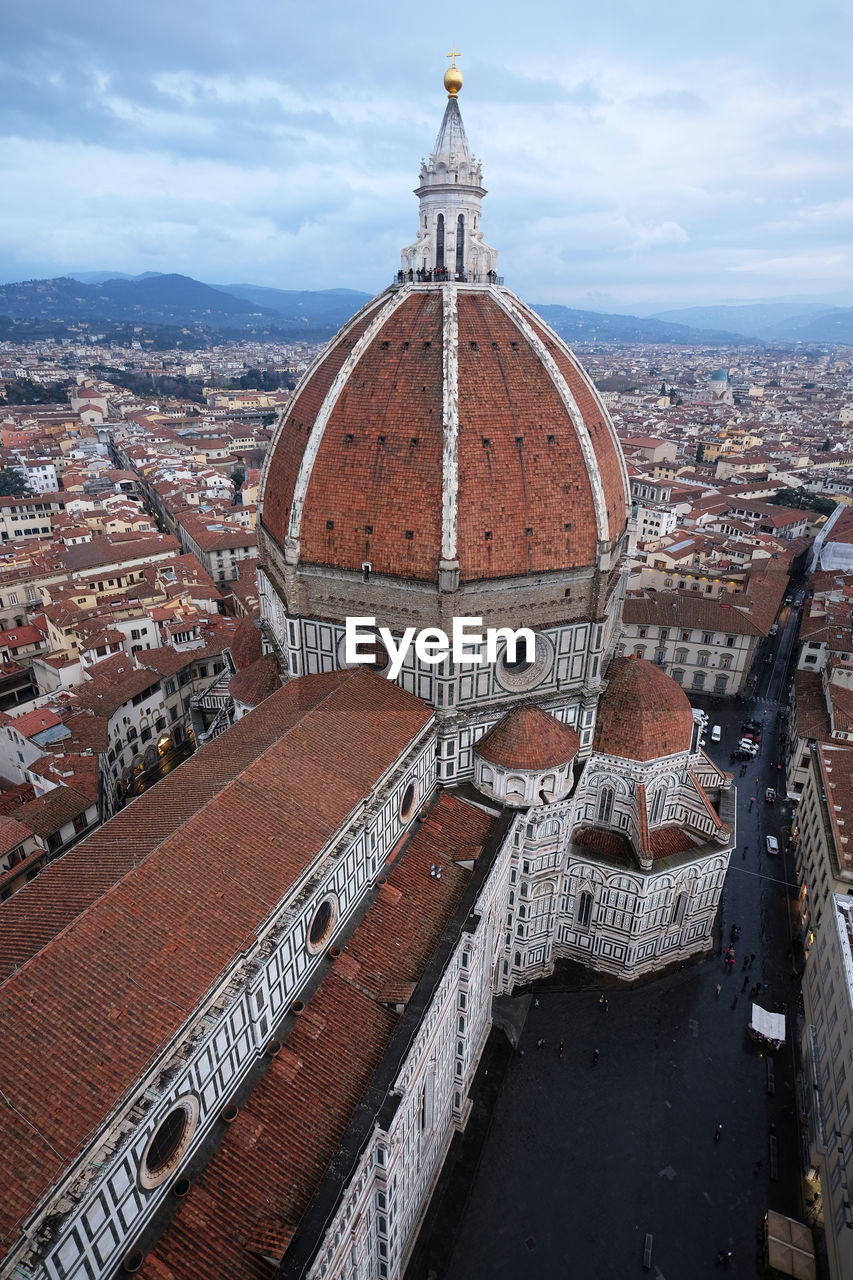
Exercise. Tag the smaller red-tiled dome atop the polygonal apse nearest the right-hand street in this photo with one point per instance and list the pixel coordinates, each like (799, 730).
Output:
(644, 715)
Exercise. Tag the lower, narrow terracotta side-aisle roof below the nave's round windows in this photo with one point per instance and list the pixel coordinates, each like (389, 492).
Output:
(297, 1117)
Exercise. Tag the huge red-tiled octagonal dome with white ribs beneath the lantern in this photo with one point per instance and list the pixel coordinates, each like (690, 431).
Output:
(446, 422)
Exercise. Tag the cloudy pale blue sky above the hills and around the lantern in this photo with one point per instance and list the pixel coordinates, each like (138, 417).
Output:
(637, 157)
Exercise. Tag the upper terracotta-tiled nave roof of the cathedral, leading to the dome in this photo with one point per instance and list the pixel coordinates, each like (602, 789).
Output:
(163, 899)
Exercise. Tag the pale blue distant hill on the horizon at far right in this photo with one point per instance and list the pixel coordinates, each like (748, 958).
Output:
(773, 322)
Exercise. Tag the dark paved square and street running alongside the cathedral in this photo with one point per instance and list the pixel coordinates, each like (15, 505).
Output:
(582, 1160)
